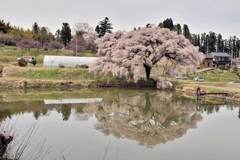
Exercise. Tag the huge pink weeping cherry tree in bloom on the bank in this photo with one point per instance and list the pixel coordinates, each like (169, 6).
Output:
(123, 52)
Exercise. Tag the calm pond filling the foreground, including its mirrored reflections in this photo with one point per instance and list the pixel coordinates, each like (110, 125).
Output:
(120, 124)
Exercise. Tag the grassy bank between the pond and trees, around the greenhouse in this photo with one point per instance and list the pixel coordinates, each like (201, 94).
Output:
(14, 76)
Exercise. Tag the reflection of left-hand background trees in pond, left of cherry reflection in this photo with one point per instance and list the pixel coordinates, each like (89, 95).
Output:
(38, 109)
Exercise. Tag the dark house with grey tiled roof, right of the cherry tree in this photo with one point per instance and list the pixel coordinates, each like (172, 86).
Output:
(221, 59)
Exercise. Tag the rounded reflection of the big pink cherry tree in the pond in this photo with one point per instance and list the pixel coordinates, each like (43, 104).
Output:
(150, 119)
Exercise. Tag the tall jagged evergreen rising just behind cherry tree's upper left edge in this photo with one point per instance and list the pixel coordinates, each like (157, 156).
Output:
(104, 27)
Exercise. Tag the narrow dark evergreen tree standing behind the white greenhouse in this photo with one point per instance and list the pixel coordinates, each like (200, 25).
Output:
(65, 34)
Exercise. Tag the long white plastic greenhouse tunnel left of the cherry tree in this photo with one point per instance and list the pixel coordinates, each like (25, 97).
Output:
(66, 61)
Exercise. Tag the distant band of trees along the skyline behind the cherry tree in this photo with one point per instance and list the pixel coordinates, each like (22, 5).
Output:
(207, 42)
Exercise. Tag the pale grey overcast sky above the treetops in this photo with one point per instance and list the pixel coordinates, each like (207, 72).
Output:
(219, 16)
